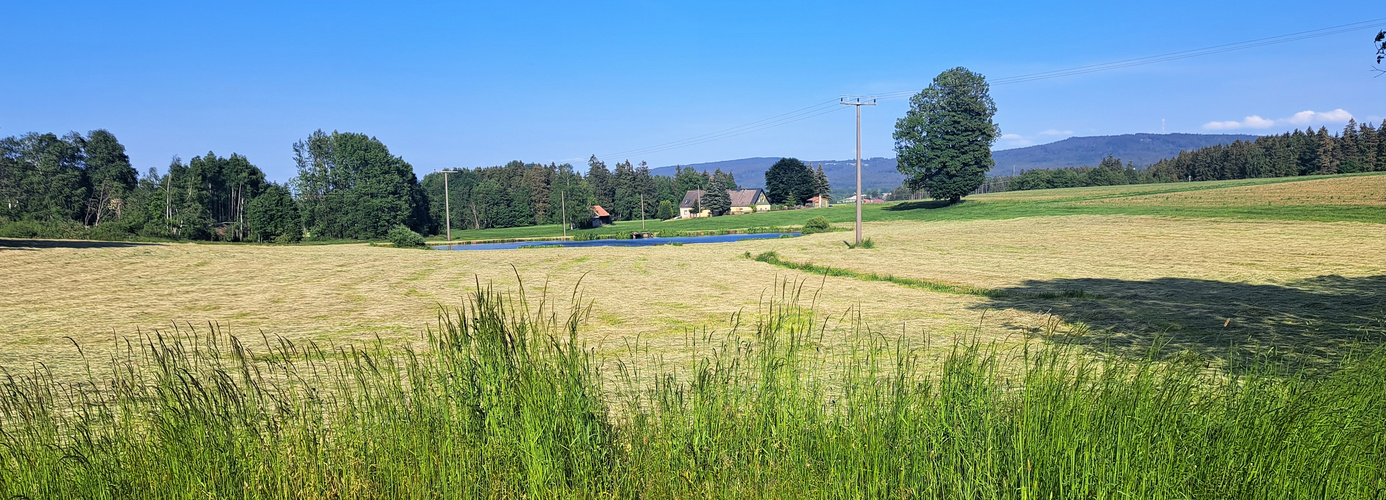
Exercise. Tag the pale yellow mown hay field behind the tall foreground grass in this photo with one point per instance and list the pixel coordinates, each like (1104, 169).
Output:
(1267, 278)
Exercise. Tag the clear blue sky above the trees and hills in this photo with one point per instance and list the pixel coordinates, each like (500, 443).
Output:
(482, 84)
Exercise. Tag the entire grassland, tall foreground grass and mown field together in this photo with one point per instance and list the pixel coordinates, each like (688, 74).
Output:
(1097, 344)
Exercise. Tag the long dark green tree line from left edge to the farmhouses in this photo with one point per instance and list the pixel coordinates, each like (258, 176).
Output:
(349, 186)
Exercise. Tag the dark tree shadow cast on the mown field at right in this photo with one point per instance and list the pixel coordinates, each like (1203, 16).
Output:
(1306, 323)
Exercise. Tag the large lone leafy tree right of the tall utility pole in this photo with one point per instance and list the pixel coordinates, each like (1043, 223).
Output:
(943, 145)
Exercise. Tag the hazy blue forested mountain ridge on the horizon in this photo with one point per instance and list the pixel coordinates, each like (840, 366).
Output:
(881, 174)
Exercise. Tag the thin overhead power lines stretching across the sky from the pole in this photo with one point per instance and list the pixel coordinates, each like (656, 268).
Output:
(827, 107)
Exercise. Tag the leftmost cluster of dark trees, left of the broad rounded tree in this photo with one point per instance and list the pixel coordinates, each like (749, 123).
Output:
(85, 186)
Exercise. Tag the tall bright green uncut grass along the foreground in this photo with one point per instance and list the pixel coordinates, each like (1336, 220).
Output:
(507, 402)
